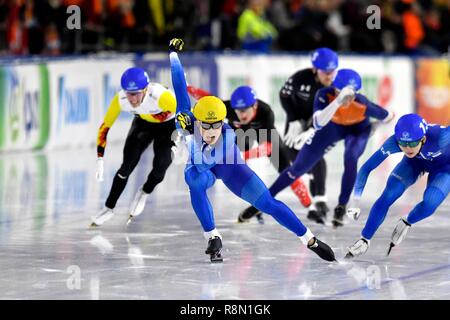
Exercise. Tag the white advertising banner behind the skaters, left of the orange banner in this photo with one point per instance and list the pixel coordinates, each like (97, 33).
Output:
(386, 81)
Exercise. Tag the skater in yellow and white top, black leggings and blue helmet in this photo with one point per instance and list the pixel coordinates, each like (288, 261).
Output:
(153, 106)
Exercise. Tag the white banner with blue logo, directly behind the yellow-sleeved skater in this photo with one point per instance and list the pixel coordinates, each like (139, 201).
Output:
(81, 91)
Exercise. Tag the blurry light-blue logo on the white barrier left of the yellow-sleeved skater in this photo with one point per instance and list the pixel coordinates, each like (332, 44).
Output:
(73, 104)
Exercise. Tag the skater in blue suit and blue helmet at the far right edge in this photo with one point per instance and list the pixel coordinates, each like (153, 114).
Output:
(426, 148)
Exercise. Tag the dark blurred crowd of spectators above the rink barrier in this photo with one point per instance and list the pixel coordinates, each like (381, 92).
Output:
(30, 27)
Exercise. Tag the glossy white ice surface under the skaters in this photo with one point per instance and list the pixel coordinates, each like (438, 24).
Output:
(48, 252)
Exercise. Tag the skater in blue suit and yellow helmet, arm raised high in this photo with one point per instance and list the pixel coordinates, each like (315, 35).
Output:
(214, 155)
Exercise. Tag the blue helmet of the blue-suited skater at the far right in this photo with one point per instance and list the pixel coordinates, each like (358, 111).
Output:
(410, 127)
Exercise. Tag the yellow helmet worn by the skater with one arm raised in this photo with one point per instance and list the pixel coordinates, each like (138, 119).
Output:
(210, 109)
